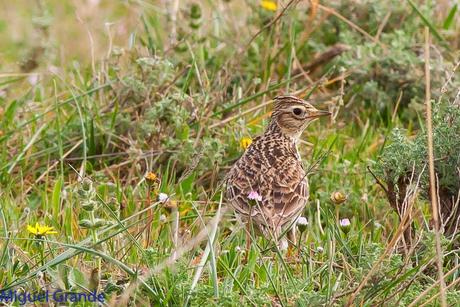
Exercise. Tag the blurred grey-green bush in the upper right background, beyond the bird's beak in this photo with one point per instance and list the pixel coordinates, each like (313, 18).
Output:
(391, 69)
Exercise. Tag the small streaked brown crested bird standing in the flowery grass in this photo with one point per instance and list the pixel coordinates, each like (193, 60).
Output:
(267, 186)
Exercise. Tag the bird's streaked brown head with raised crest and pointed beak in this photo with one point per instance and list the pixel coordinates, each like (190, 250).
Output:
(292, 115)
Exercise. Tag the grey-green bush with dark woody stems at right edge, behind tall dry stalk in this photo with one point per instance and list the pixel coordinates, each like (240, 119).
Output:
(405, 158)
